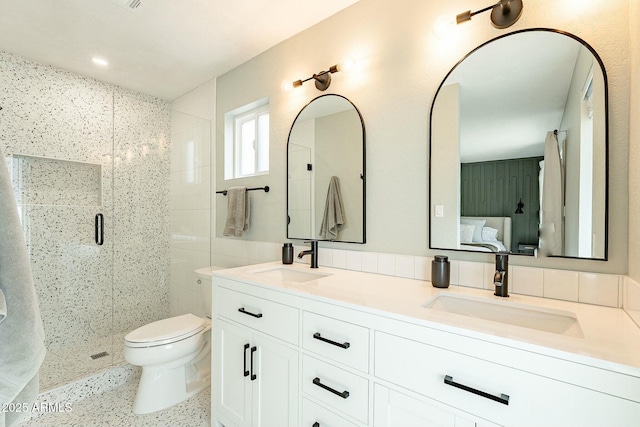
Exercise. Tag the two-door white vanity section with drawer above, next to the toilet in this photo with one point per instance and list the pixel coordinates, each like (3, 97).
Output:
(255, 375)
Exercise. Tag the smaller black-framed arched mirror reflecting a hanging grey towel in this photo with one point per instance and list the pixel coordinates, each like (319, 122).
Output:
(326, 172)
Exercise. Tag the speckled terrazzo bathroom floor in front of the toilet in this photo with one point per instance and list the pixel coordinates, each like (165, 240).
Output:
(113, 408)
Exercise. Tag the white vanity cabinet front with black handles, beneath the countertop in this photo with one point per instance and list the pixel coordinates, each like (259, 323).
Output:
(324, 362)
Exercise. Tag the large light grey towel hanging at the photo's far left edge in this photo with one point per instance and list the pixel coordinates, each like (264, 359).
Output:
(21, 332)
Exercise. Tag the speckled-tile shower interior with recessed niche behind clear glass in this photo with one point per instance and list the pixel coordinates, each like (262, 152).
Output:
(62, 127)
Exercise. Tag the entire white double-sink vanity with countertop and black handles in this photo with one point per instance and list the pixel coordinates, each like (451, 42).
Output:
(295, 346)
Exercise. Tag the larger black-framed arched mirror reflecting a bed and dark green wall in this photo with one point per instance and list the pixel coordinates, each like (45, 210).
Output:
(518, 155)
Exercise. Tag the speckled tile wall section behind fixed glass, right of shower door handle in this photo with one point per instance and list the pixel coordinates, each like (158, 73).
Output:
(141, 206)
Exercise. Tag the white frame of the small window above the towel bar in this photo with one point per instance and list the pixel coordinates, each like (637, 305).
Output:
(232, 146)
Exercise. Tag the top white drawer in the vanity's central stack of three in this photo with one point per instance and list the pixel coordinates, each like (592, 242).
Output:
(336, 340)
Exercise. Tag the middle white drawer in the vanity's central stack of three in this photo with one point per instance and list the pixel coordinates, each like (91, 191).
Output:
(342, 390)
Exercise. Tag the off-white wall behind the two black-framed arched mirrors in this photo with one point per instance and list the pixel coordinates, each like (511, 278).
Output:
(401, 66)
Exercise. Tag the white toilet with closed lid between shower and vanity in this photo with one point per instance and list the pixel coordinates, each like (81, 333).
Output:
(174, 353)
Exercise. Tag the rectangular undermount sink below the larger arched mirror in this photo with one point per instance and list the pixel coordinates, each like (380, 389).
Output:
(505, 312)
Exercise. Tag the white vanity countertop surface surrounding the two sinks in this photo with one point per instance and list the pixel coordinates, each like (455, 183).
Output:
(611, 338)
